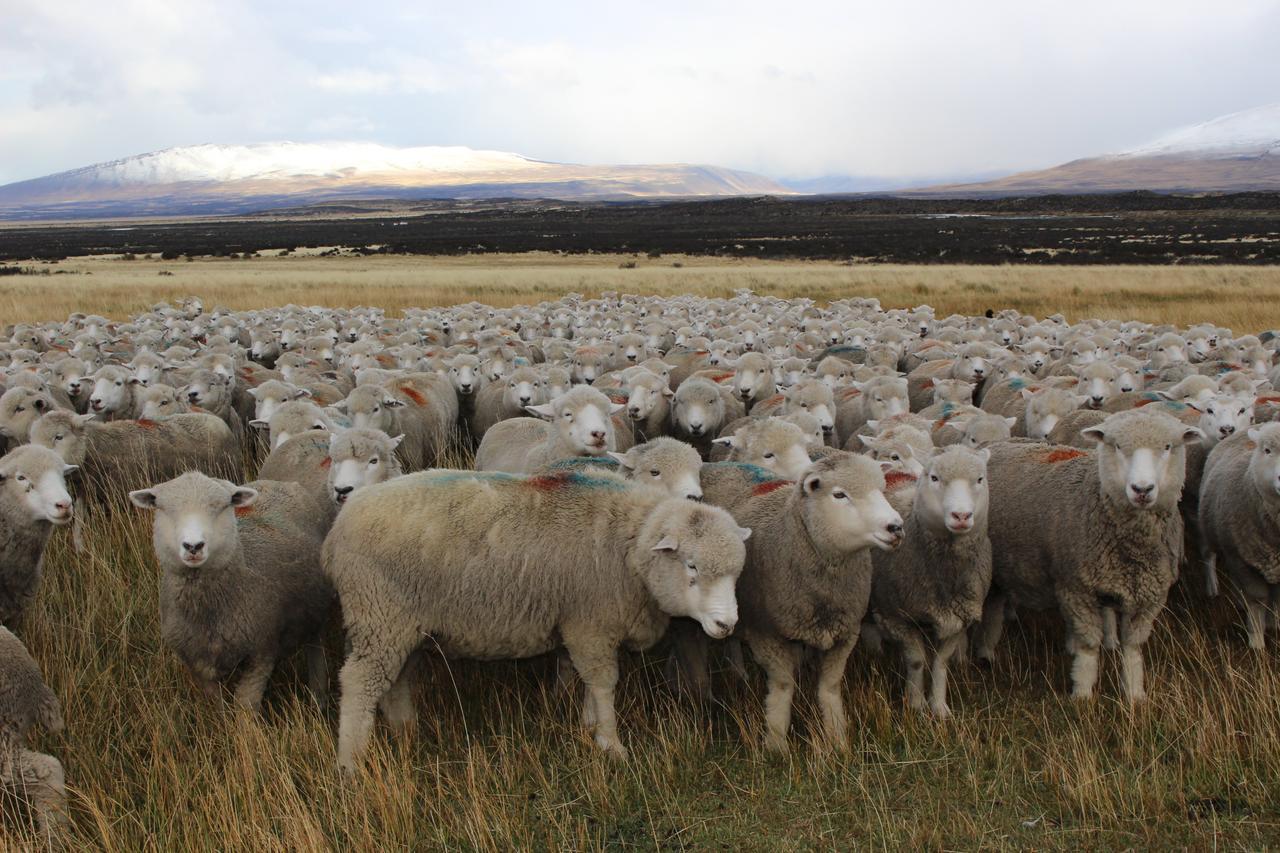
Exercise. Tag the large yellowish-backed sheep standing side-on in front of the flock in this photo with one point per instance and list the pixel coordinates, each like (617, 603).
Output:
(505, 567)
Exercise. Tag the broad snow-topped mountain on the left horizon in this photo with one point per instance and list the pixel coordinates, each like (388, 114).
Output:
(239, 179)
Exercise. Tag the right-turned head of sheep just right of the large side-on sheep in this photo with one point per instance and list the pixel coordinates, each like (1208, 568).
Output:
(845, 507)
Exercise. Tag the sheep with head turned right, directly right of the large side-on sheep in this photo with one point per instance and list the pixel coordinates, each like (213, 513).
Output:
(808, 576)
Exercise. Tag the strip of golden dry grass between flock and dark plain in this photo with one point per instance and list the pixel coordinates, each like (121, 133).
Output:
(1241, 298)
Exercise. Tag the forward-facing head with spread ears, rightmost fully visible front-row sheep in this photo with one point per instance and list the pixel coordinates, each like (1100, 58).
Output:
(1142, 459)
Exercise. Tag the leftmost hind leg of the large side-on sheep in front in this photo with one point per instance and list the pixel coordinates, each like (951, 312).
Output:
(367, 676)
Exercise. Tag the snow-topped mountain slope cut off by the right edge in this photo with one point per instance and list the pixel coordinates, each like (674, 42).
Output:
(1236, 153)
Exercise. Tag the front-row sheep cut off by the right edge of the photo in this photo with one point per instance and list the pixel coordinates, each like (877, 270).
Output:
(1240, 523)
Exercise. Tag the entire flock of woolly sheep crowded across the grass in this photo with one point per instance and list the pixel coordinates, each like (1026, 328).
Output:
(701, 475)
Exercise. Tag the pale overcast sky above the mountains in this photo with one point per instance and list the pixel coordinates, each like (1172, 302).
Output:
(796, 90)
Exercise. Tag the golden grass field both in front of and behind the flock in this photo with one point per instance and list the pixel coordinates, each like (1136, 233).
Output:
(499, 761)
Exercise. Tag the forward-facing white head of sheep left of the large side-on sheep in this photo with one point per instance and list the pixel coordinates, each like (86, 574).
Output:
(195, 518)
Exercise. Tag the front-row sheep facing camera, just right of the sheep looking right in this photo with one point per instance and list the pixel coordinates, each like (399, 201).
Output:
(931, 590)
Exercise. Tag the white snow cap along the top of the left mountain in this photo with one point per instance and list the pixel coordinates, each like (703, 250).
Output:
(285, 161)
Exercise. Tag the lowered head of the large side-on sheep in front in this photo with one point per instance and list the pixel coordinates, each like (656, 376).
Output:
(694, 563)
